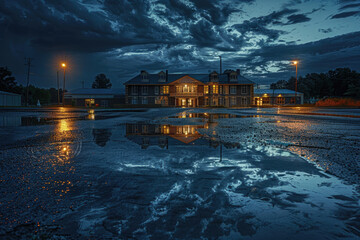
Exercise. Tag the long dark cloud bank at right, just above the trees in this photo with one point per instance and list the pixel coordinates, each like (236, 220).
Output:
(322, 55)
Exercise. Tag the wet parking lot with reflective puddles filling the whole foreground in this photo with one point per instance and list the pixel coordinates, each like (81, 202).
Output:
(180, 174)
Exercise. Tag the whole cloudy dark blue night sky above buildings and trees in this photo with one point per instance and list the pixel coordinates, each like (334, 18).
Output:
(120, 38)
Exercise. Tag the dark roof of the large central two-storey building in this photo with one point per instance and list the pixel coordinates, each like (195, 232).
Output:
(204, 78)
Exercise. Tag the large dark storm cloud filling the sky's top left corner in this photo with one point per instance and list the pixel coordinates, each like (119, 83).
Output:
(69, 25)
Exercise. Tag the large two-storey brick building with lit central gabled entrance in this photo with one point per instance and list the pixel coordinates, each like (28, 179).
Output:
(229, 89)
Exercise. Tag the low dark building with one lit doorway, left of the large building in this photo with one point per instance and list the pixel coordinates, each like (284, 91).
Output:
(94, 97)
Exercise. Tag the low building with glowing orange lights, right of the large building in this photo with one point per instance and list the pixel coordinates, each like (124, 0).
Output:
(277, 97)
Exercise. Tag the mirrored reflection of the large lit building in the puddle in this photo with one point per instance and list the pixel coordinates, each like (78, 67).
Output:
(163, 135)
